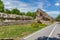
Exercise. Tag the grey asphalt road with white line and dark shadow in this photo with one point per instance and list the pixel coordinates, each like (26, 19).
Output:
(51, 32)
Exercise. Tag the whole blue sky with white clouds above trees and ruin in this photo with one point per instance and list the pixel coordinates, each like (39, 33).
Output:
(51, 7)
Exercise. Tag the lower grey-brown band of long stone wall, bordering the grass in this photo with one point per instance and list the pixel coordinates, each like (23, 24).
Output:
(18, 22)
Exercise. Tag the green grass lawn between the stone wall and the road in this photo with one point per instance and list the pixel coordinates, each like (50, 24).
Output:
(17, 31)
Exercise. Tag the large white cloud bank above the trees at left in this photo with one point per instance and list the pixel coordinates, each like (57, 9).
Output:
(24, 7)
